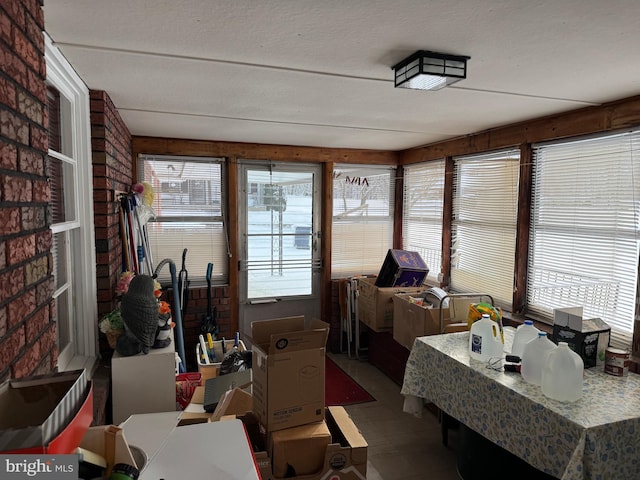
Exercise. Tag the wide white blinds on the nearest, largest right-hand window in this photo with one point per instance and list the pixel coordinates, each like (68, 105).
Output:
(585, 230)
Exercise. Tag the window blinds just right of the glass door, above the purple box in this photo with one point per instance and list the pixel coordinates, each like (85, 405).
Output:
(362, 228)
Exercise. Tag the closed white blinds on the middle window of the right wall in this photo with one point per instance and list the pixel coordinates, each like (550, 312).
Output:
(484, 224)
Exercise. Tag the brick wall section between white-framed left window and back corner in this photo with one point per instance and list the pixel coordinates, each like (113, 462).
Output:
(112, 172)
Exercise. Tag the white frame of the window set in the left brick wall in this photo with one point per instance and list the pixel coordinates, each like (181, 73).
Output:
(82, 351)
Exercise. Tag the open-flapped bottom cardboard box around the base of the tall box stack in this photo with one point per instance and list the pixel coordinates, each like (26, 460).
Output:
(345, 457)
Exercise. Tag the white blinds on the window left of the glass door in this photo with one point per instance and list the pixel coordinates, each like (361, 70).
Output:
(188, 207)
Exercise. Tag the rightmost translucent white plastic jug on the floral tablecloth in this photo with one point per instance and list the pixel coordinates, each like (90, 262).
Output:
(562, 374)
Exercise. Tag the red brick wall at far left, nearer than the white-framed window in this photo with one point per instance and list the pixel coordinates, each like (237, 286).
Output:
(27, 312)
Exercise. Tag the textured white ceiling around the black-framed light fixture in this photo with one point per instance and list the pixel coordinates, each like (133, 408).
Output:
(318, 72)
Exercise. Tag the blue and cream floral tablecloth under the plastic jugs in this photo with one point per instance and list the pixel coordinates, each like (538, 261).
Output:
(594, 438)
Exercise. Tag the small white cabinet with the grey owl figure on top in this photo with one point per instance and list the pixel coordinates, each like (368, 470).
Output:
(143, 383)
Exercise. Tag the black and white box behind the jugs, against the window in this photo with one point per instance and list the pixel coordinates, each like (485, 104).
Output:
(587, 337)
